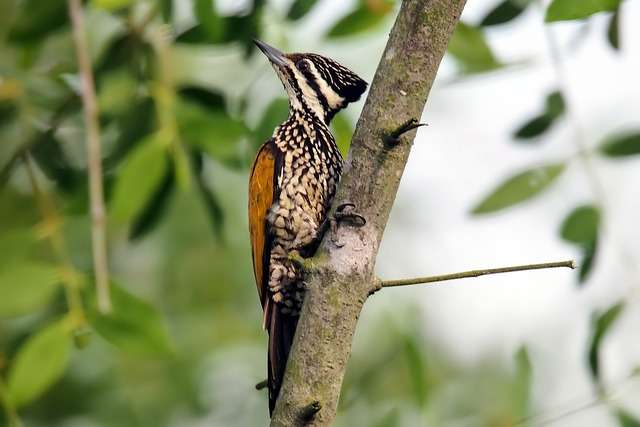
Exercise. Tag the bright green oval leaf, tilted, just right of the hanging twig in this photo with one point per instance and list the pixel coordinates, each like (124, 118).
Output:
(139, 178)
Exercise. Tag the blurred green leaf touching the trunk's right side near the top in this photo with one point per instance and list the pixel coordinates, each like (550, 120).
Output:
(469, 47)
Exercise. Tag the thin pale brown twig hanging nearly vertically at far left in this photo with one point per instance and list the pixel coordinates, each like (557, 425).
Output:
(94, 162)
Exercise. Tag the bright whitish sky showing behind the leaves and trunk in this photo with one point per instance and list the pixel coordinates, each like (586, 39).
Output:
(463, 154)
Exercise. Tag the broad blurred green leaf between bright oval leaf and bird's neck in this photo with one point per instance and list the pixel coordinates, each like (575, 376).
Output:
(212, 131)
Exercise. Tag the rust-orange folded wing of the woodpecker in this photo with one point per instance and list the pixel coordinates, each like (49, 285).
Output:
(261, 196)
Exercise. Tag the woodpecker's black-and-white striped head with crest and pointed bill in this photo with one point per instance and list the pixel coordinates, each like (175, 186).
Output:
(314, 83)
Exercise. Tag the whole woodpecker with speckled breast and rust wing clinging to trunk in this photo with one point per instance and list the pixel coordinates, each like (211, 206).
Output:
(292, 184)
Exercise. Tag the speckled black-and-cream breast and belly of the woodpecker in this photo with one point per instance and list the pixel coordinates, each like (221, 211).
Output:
(309, 172)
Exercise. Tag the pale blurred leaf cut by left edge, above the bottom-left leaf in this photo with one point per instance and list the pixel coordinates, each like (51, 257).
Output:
(26, 286)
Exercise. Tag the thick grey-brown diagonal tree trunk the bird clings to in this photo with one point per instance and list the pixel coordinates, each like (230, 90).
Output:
(343, 276)
